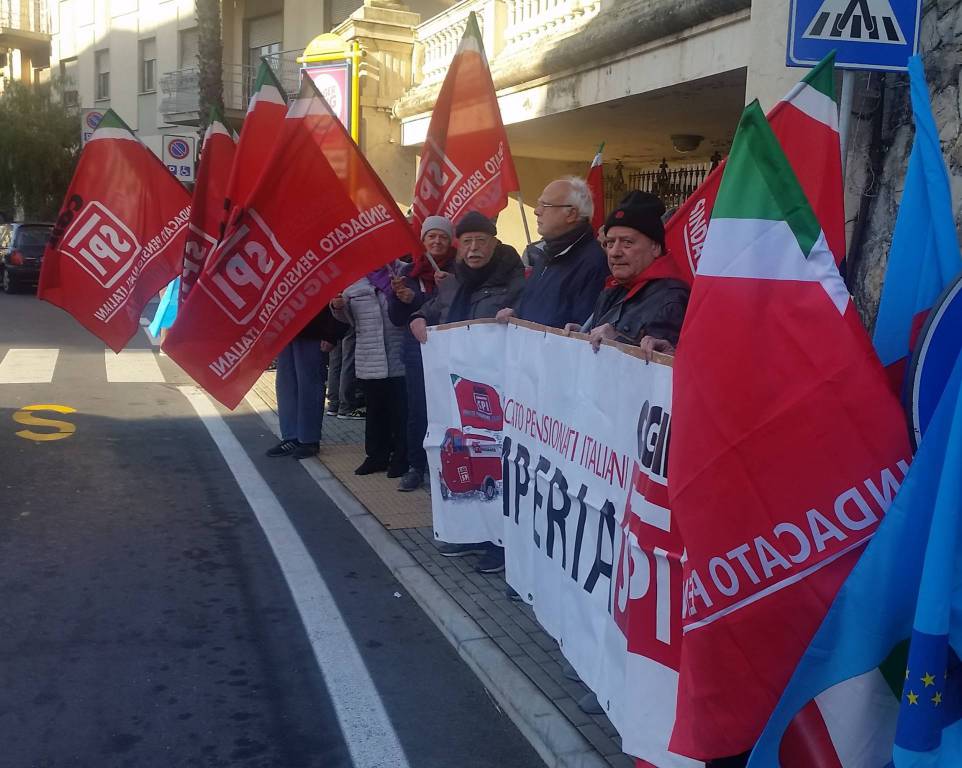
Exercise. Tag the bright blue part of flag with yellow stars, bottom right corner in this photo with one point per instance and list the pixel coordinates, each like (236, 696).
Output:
(905, 590)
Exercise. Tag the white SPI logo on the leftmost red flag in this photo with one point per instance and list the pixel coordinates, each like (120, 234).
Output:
(101, 244)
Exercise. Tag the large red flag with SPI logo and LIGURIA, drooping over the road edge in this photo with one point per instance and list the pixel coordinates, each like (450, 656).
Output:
(318, 220)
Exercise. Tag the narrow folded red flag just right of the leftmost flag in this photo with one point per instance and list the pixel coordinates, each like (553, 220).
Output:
(207, 206)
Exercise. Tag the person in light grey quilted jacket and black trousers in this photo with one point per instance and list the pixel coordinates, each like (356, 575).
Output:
(379, 367)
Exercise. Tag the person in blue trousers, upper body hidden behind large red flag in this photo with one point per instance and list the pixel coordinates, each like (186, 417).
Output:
(301, 375)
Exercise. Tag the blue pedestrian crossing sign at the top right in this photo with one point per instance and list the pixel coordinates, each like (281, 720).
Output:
(865, 34)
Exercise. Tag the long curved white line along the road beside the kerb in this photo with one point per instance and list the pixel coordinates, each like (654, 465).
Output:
(366, 727)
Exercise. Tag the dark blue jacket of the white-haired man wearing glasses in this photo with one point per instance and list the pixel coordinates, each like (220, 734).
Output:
(564, 286)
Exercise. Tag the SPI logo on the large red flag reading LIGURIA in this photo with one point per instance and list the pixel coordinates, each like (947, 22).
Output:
(246, 267)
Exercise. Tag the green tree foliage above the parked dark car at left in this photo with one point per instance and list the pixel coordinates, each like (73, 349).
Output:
(39, 147)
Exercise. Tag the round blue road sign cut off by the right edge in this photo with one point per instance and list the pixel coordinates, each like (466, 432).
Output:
(938, 347)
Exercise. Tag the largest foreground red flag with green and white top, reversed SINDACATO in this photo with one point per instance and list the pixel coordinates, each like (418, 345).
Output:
(786, 451)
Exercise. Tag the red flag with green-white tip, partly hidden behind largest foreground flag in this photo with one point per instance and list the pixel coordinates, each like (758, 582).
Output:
(806, 124)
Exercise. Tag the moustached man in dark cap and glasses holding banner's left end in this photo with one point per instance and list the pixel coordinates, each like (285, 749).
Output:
(488, 277)
